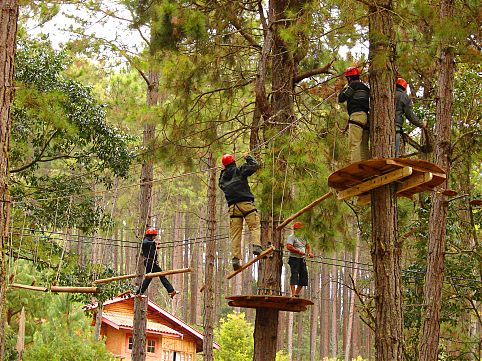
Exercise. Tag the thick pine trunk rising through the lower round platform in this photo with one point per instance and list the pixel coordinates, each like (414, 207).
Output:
(282, 70)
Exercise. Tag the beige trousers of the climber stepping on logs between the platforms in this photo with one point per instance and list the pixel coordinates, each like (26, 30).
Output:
(239, 212)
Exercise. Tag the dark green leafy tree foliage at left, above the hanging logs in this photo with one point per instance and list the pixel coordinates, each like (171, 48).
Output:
(61, 143)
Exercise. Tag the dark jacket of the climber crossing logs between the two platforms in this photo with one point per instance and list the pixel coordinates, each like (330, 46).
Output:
(234, 181)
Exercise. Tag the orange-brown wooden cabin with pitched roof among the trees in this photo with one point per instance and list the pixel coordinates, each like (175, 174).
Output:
(168, 338)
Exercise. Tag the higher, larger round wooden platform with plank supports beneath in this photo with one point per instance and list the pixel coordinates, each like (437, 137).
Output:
(412, 176)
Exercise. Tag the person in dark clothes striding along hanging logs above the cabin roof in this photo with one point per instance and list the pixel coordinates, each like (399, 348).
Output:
(149, 252)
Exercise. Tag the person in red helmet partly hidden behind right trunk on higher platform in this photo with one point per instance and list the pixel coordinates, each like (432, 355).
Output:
(403, 109)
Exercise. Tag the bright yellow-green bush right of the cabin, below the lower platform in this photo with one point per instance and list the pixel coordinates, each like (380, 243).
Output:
(235, 337)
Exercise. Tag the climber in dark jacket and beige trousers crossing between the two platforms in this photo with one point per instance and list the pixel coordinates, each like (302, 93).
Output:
(234, 183)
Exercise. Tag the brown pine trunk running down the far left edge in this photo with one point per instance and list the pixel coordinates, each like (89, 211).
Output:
(8, 34)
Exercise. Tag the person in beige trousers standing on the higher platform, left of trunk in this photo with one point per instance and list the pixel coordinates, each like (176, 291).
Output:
(357, 96)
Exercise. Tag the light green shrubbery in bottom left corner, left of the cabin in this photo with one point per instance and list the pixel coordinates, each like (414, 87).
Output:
(56, 327)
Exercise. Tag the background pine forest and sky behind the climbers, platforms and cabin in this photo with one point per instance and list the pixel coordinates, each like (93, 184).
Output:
(112, 96)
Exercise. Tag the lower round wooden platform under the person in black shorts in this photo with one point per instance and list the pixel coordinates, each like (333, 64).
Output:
(282, 303)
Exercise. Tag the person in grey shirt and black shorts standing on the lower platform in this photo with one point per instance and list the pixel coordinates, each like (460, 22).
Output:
(298, 248)
